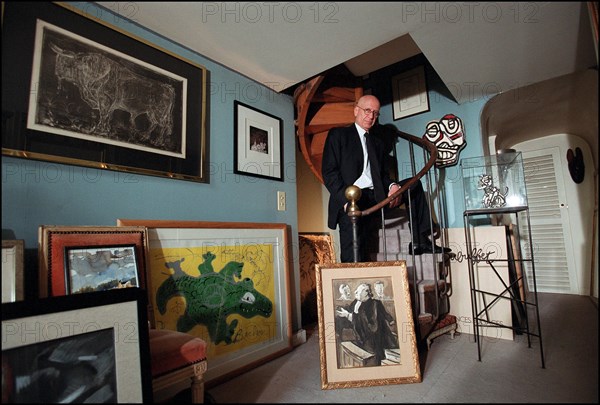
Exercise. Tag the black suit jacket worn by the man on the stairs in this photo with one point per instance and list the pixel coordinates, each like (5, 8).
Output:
(343, 163)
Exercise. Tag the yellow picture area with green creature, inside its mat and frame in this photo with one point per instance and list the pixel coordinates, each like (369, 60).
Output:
(224, 295)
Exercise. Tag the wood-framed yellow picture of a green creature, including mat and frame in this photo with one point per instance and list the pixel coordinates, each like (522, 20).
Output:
(225, 282)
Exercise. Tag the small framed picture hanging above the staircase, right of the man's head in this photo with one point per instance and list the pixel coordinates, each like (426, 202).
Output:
(409, 90)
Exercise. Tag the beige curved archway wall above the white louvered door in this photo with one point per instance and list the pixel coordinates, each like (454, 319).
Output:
(563, 105)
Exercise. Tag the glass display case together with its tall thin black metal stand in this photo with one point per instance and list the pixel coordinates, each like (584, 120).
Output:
(495, 185)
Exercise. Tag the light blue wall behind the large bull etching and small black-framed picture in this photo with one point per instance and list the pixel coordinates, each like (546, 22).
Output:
(36, 193)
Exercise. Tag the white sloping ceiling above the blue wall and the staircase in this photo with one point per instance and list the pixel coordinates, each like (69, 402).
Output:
(477, 49)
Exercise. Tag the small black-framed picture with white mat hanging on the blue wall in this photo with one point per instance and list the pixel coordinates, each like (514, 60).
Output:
(258, 143)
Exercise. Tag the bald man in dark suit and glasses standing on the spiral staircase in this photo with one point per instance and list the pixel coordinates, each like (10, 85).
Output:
(347, 161)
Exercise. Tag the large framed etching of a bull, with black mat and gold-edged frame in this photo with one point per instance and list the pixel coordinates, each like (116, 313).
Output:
(98, 96)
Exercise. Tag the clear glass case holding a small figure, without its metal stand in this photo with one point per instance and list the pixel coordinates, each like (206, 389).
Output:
(494, 182)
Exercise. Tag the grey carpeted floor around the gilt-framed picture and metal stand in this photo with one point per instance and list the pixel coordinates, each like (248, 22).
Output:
(510, 371)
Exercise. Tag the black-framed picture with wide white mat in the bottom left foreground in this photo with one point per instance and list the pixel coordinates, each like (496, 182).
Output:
(65, 349)
